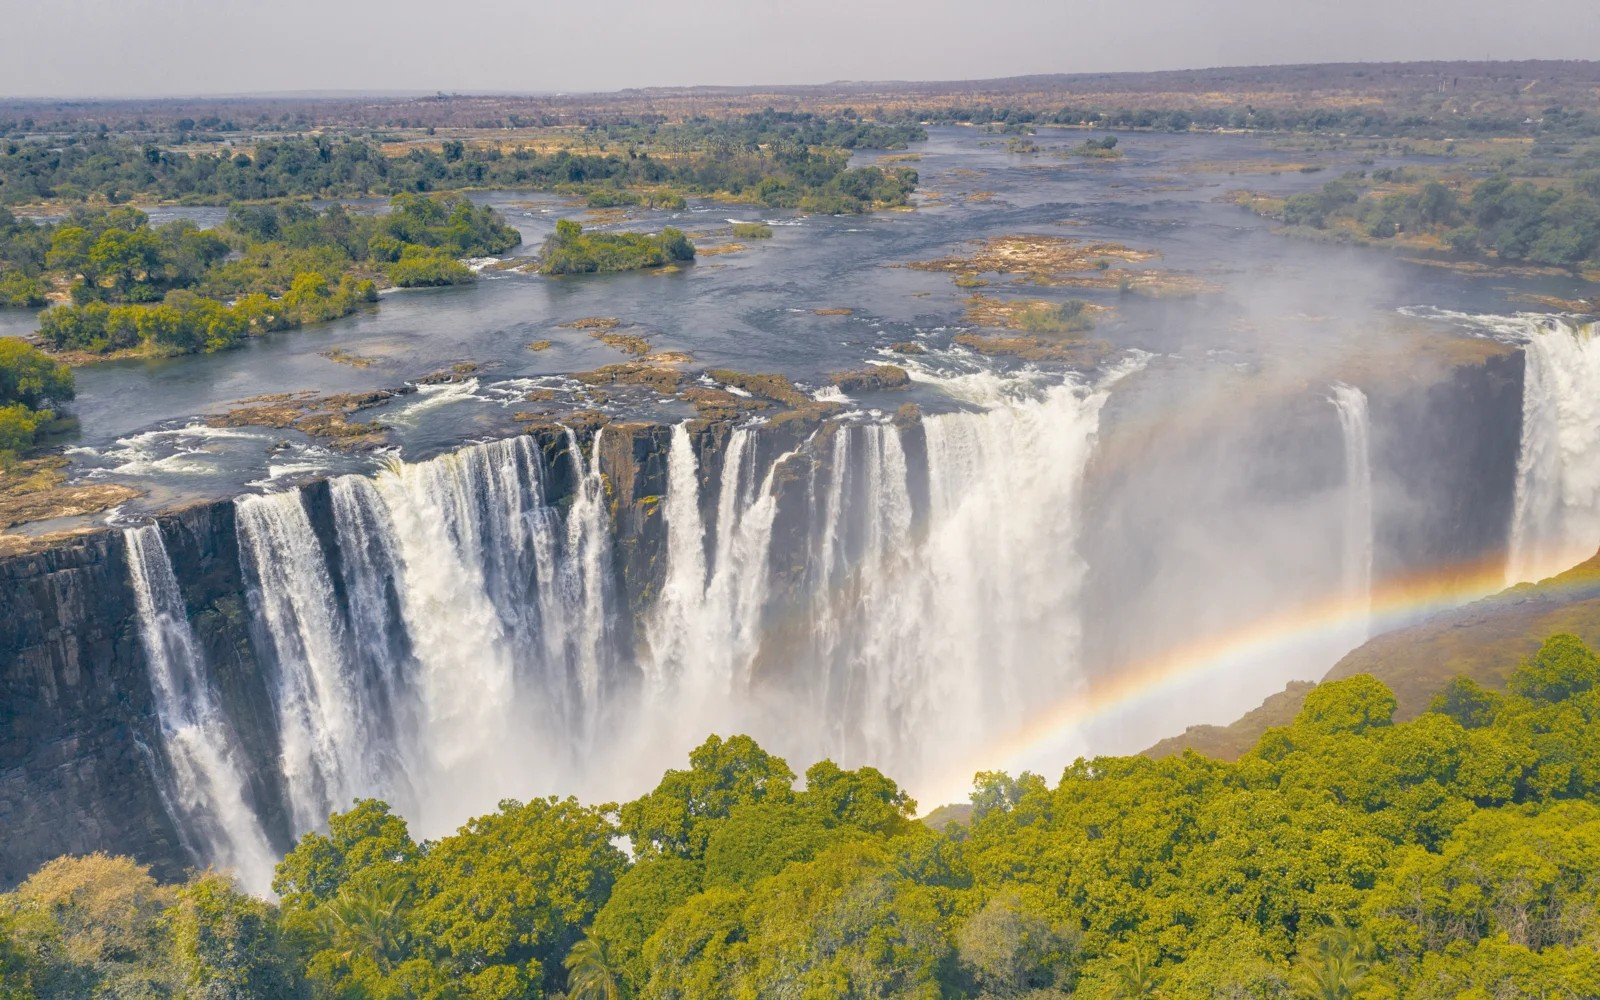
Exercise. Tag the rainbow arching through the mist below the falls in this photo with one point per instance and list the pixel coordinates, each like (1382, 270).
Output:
(1047, 735)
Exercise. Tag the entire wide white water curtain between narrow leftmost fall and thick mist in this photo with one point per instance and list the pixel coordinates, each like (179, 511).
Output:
(454, 639)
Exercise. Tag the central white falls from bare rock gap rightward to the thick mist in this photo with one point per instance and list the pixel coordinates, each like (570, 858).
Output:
(919, 639)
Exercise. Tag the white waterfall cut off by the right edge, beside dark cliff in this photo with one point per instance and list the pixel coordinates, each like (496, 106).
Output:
(1556, 524)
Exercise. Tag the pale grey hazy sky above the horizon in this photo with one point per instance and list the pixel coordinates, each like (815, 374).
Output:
(212, 47)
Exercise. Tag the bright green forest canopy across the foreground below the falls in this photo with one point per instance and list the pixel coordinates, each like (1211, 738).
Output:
(1348, 855)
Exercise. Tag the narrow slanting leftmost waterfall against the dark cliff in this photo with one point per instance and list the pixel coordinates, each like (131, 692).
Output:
(206, 788)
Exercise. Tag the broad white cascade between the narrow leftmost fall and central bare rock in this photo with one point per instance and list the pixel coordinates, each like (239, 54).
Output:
(470, 622)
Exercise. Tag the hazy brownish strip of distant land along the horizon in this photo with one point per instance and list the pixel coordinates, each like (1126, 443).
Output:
(1436, 92)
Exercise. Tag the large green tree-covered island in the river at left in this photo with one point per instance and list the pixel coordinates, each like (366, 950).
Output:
(182, 290)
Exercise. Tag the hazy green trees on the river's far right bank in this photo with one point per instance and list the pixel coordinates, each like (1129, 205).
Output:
(1553, 225)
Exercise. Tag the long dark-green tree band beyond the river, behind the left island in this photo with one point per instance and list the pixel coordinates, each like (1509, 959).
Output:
(782, 174)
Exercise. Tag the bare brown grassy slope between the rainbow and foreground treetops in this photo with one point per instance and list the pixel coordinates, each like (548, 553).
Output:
(1486, 641)
